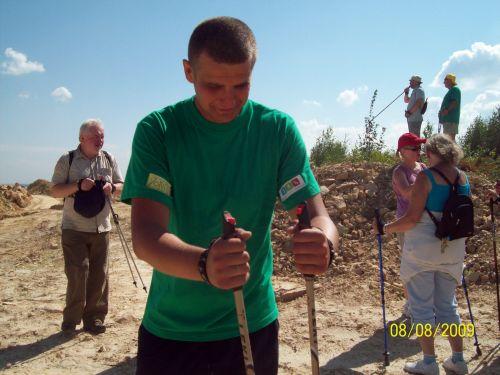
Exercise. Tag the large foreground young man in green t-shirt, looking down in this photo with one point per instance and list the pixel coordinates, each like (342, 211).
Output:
(191, 161)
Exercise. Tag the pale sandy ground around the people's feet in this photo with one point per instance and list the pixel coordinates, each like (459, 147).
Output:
(349, 318)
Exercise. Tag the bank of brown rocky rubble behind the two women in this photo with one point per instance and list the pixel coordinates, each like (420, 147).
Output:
(351, 192)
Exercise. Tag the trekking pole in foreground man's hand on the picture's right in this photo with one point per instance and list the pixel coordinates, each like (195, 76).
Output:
(304, 223)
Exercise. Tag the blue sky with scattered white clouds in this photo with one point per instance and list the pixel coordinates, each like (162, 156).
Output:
(62, 62)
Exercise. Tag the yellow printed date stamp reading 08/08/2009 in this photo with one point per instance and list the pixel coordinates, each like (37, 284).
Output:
(428, 330)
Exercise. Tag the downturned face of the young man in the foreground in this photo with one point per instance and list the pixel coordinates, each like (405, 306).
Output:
(221, 89)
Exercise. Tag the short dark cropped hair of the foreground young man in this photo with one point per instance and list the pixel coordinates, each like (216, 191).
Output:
(225, 39)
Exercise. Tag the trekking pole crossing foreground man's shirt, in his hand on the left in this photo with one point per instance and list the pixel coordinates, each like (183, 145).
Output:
(228, 230)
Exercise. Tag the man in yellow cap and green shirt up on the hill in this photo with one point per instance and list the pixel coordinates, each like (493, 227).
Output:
(449, 114)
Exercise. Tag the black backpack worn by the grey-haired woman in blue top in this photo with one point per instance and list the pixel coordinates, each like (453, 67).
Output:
(458, 213)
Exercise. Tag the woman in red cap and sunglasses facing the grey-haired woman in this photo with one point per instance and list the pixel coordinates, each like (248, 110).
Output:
(403, 178)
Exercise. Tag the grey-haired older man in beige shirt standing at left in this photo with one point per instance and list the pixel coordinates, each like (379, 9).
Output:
(86, 178)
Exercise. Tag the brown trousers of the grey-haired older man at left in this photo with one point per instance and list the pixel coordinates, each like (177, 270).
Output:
(86, 267)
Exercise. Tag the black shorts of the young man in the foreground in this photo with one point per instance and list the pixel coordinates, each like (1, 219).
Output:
(161, 356)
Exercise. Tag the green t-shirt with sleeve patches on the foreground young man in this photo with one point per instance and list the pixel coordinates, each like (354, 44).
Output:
(199, 169)
